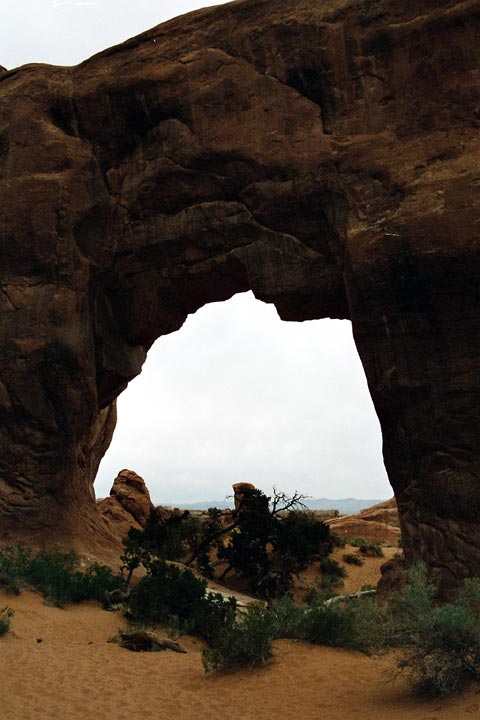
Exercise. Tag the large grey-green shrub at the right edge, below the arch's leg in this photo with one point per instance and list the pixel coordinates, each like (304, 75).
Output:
(438, 644)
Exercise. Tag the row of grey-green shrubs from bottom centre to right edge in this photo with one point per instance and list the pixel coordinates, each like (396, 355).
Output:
(439, 645)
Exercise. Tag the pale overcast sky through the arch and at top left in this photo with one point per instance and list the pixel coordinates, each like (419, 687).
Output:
(236, 394)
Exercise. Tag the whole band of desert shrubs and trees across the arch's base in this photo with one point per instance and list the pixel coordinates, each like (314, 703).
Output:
(437, 645)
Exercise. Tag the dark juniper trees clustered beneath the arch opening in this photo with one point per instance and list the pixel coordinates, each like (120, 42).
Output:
(266, 543)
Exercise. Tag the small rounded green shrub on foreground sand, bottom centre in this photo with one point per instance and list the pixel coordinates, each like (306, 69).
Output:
(245, 643)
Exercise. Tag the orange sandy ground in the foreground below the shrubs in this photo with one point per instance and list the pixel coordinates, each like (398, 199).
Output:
(56, 664)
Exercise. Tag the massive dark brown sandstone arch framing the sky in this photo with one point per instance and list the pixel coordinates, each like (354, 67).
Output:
(324, 155)
